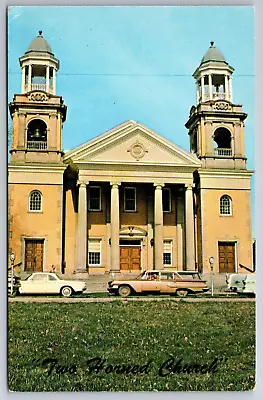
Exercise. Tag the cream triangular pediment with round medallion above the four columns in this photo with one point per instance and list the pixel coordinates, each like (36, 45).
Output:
(131, 143)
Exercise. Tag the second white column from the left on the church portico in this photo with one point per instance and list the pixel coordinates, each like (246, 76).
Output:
(115, 227)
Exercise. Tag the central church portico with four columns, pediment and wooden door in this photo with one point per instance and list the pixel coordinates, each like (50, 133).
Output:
(143, 206)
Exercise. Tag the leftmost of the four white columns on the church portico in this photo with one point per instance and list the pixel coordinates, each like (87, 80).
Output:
(81, 239)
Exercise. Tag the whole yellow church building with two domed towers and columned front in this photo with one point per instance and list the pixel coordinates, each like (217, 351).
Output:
(129, 199)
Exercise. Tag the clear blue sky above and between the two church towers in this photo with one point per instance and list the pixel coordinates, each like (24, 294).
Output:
(120, 63)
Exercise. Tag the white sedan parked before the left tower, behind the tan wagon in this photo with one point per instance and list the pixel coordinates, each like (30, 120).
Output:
(50, 283)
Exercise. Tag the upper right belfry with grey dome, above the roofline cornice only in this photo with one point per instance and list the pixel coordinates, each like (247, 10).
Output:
(216, 124)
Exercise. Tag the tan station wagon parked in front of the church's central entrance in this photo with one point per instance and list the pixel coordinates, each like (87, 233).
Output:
(159, 282)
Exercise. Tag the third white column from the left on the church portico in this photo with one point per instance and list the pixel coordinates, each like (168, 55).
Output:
(158, 226)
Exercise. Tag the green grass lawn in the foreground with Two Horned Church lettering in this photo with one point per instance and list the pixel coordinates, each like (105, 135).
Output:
(126, 346)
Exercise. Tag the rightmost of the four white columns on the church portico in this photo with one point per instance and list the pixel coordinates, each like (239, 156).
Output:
(189, 227)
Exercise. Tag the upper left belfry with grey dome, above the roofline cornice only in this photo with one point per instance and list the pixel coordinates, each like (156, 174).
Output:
(37, 113)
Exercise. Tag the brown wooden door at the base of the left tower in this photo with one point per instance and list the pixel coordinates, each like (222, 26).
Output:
(34, 251)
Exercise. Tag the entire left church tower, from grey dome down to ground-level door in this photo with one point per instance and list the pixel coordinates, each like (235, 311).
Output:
(36, 169)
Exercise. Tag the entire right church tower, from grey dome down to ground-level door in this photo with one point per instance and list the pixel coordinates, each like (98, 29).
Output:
(222, 185)
